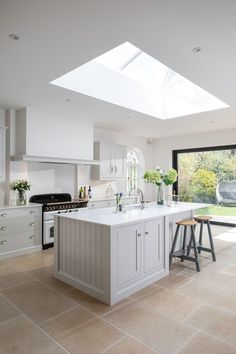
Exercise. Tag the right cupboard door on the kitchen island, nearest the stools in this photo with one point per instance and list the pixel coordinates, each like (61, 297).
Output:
(153, 245)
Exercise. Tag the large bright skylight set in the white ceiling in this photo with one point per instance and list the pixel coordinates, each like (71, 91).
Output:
(128, 77)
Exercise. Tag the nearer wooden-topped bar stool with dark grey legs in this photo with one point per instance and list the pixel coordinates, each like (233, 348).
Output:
(184, 252)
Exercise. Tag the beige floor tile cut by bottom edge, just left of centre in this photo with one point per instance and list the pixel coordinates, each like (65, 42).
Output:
(93, 338)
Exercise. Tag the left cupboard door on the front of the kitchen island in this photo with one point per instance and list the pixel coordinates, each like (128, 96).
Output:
(128, 253)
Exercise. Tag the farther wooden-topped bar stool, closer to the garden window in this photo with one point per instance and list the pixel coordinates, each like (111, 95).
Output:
(205, 220)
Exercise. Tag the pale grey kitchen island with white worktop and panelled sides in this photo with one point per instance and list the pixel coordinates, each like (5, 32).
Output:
(111, 255)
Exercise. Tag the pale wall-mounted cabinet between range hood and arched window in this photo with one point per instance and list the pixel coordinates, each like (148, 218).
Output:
(112, 161)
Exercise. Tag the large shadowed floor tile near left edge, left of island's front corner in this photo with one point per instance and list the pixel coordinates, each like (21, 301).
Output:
(38, 301)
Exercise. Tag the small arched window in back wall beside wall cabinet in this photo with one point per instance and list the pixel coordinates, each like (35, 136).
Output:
(135, 169)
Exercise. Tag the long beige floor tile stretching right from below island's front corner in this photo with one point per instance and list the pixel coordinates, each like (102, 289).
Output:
(151, 327)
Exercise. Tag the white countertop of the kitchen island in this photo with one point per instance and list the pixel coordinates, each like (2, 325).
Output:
(108, 216)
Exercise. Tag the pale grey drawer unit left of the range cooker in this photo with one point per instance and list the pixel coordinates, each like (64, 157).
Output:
(20, 230)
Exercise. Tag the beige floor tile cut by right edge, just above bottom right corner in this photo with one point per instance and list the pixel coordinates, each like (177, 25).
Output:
(215, 321)
